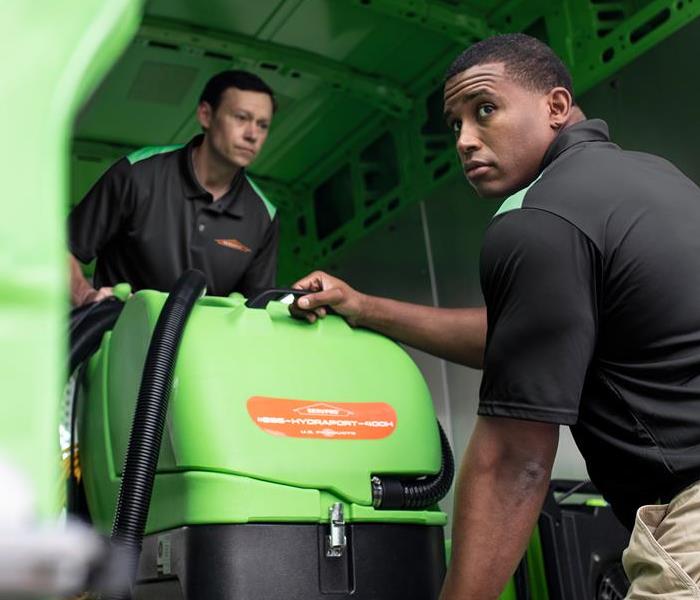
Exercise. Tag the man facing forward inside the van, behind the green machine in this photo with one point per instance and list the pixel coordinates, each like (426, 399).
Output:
(162, 210)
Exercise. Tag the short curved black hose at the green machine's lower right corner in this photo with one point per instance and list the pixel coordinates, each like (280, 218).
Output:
(391, 493)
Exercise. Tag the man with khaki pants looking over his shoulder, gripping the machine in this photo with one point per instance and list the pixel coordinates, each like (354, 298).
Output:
(591, 274)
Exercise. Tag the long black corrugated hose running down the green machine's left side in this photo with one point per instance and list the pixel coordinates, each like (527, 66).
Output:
(149, 419)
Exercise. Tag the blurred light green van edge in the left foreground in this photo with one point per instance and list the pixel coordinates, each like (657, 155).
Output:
(54, 54)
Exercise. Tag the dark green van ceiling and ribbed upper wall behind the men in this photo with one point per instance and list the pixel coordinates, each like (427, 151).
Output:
(359, 134)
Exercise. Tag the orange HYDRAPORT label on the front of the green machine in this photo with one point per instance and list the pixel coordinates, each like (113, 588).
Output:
(323, 420)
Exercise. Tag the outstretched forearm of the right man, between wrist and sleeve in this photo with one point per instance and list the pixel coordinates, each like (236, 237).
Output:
(455, 334)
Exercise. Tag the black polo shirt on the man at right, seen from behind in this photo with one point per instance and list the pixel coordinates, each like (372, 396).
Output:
(591, 277)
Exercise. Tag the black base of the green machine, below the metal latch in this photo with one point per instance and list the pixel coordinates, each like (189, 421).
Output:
(289, 562)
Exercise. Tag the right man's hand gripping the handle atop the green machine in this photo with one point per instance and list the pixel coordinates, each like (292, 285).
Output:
(328, 292)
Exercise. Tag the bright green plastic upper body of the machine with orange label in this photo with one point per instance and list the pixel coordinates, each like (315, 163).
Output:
(220, 462)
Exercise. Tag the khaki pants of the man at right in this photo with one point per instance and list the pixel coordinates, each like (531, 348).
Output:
(663, 557)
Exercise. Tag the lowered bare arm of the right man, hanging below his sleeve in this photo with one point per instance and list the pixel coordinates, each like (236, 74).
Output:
(497, 504)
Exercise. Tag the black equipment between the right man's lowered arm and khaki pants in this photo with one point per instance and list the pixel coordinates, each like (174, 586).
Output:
(582, 547)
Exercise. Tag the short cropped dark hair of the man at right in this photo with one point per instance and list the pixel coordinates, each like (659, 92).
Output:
(527, 61)
